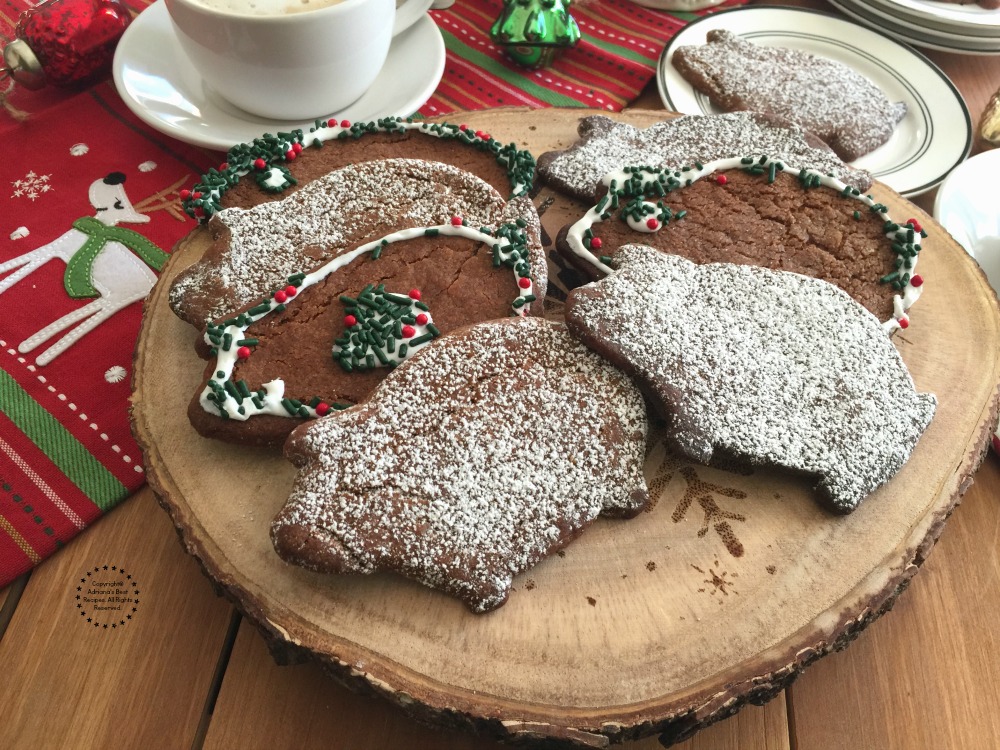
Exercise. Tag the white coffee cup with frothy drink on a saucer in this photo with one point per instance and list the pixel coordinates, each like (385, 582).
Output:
(287, 60)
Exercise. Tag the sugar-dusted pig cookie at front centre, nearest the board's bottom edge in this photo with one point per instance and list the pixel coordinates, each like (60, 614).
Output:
(486, 452)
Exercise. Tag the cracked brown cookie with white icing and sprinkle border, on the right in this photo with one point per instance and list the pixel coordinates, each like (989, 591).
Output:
(757, 211)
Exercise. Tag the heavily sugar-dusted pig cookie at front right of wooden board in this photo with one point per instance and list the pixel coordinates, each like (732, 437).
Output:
(767, 367)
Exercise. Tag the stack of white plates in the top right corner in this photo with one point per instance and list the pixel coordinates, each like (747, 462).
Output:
(968, 29)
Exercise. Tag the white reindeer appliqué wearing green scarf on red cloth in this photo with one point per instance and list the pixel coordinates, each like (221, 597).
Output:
(110, 263)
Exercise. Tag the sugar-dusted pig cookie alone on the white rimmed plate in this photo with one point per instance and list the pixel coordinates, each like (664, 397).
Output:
(825, 97)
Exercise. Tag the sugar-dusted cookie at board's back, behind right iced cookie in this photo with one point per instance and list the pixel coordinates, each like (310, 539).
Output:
(606, 146)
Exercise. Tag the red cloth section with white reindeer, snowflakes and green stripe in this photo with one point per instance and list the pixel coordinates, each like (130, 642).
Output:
(89, 211)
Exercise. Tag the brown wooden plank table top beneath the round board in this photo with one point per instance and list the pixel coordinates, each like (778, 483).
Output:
(189, 672)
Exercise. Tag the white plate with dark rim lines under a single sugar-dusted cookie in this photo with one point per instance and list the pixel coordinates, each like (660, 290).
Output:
(929, 142)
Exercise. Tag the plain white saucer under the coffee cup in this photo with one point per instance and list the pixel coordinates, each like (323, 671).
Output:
(160, 85)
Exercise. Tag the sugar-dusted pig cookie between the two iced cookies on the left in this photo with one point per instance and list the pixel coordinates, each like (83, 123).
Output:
(332, 213)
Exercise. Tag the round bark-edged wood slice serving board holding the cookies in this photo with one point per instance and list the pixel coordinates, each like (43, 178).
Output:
(720, 595)
